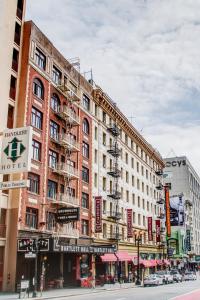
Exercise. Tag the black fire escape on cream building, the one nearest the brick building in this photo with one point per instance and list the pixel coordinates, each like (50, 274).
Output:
(114, 171)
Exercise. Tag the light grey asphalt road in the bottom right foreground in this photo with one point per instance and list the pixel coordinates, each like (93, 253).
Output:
(165, 292)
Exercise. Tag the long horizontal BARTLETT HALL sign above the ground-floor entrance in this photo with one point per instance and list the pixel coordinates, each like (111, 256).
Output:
(83, 249)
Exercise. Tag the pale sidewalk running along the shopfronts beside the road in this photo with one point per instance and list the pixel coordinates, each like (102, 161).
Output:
(69, 292)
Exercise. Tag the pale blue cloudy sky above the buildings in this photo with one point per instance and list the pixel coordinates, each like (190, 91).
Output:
(145, 56)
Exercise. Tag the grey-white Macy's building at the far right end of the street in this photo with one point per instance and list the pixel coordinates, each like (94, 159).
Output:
(185, 181)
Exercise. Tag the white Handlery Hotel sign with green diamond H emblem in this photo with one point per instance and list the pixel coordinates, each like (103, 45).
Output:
(16, 150)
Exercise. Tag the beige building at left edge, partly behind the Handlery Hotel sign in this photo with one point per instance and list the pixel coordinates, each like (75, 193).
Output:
(11, 35)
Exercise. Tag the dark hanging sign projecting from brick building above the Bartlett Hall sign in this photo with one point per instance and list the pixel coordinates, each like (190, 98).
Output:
(68, 214)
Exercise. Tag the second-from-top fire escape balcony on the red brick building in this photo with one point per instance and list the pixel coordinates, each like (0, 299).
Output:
(68, 114)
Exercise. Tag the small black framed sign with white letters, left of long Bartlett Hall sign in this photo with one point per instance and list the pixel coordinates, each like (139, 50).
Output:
(33, 244)
